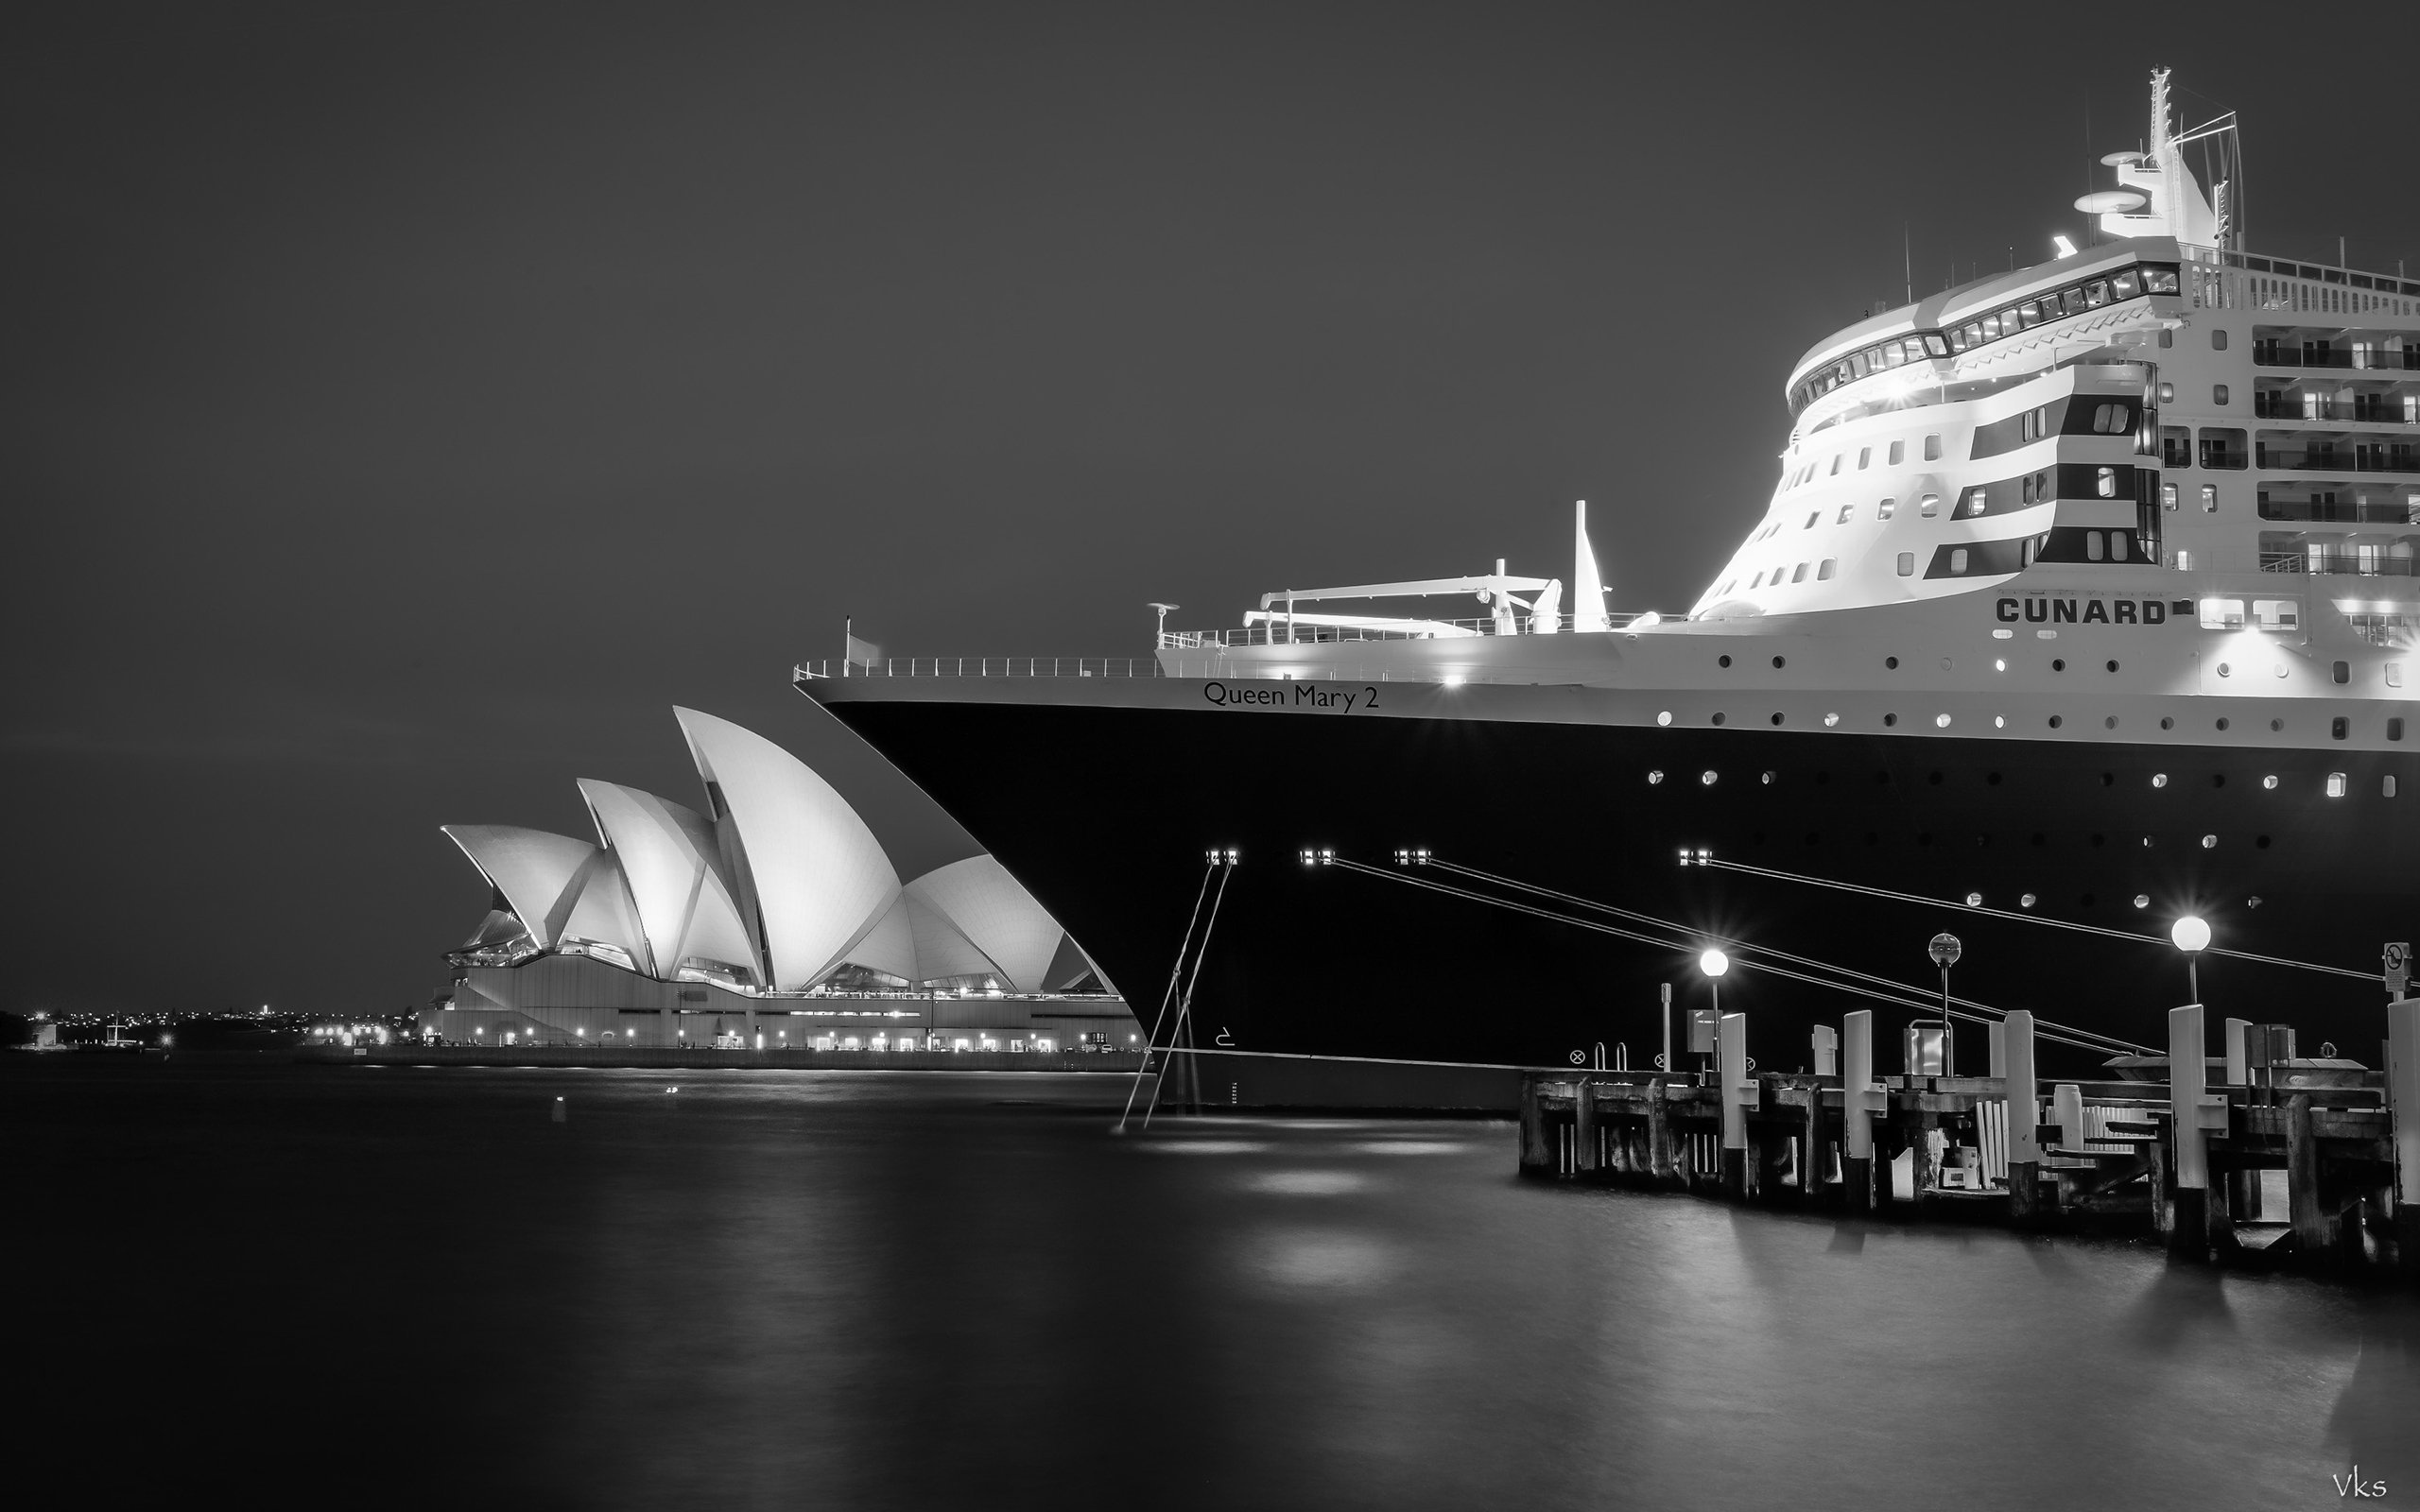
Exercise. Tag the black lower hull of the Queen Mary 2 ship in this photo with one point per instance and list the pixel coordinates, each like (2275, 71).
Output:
(1107, 807)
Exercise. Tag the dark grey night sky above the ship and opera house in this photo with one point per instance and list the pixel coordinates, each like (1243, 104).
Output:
(405, 408)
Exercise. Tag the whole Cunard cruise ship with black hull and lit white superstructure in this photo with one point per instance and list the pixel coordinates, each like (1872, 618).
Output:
(2082, 606)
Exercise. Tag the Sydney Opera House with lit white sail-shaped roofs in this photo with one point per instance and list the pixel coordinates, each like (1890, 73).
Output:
(776, 921)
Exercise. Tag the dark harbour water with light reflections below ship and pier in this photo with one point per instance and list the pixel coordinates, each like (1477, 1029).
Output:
(916, 1291)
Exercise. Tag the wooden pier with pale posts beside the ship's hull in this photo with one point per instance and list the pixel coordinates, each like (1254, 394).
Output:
(2286, 1167)
